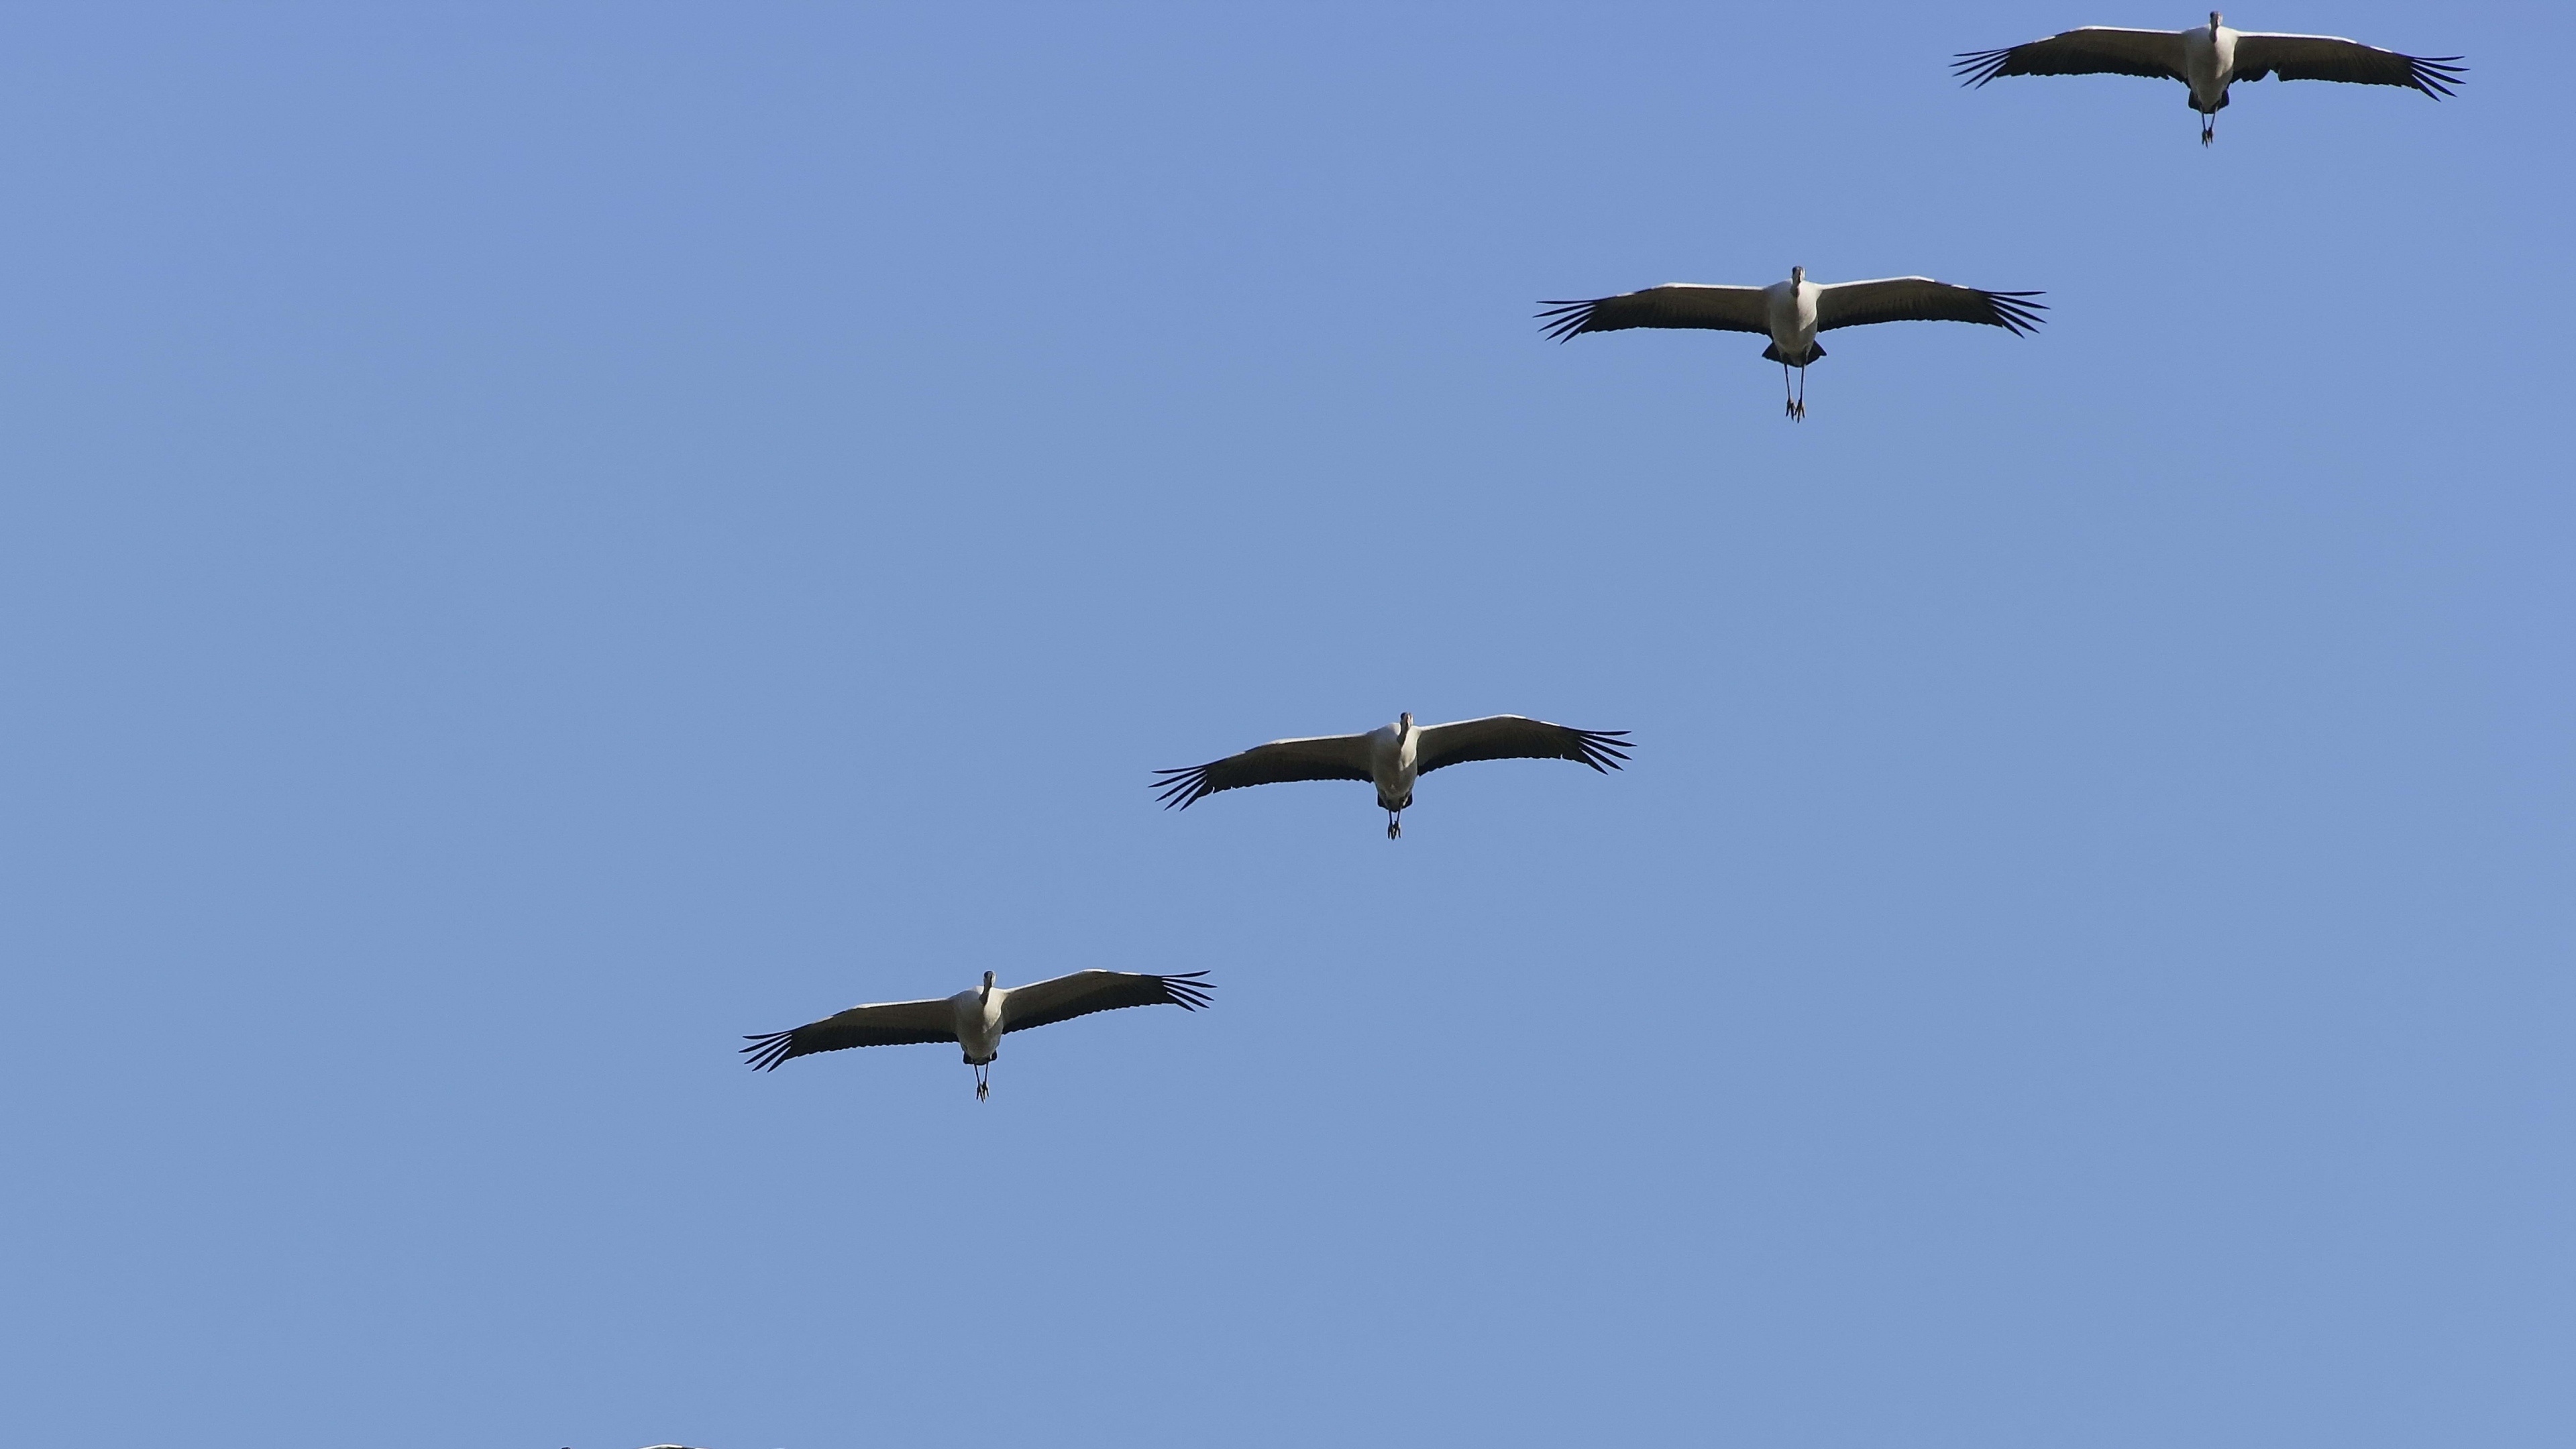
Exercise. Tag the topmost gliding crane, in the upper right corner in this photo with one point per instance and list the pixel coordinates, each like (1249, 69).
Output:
(2209, 61)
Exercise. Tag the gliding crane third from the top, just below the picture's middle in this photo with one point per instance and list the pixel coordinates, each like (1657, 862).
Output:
(1395, 757)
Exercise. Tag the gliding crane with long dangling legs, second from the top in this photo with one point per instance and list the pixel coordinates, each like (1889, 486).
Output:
(1794, 313)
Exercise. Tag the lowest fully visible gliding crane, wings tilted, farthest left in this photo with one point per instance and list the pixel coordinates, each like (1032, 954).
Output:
(978, 1020)
